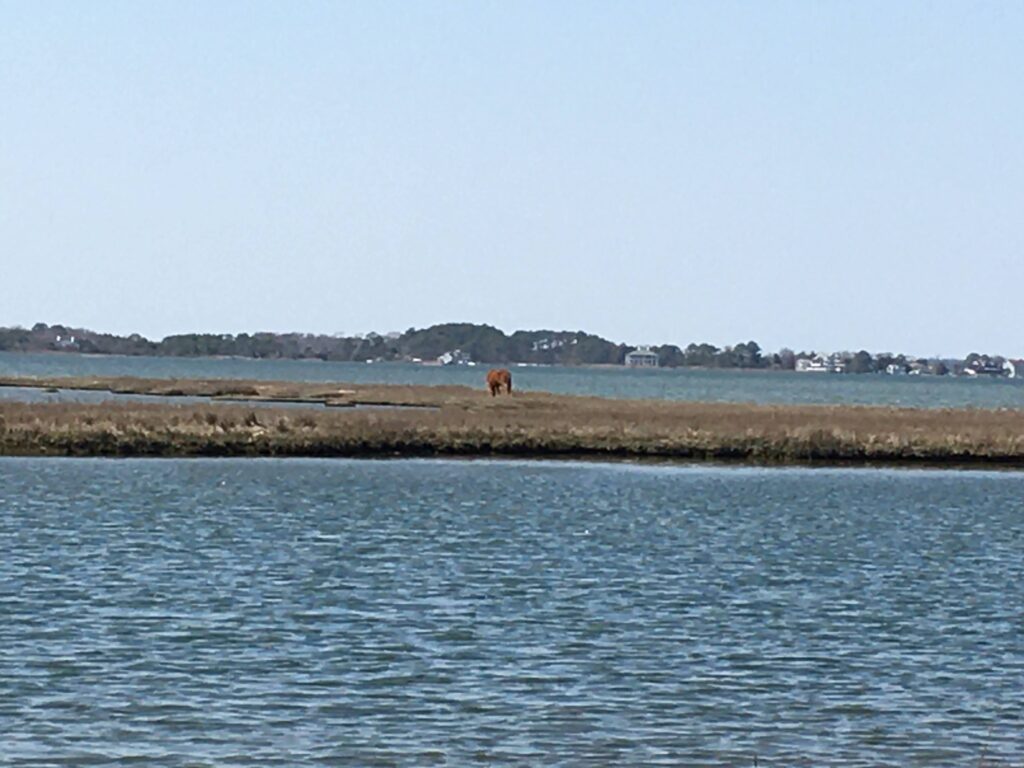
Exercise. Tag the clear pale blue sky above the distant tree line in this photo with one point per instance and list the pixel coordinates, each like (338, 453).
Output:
(830, 176)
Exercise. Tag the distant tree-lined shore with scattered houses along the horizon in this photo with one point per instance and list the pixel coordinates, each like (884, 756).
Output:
(471, 345)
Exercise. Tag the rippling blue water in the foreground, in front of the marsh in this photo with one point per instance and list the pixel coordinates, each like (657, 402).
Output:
(254, 613)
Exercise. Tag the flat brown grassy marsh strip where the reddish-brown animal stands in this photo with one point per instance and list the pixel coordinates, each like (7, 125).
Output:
(249, 418)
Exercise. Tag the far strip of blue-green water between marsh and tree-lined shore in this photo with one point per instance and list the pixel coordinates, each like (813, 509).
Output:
(677, 385)
